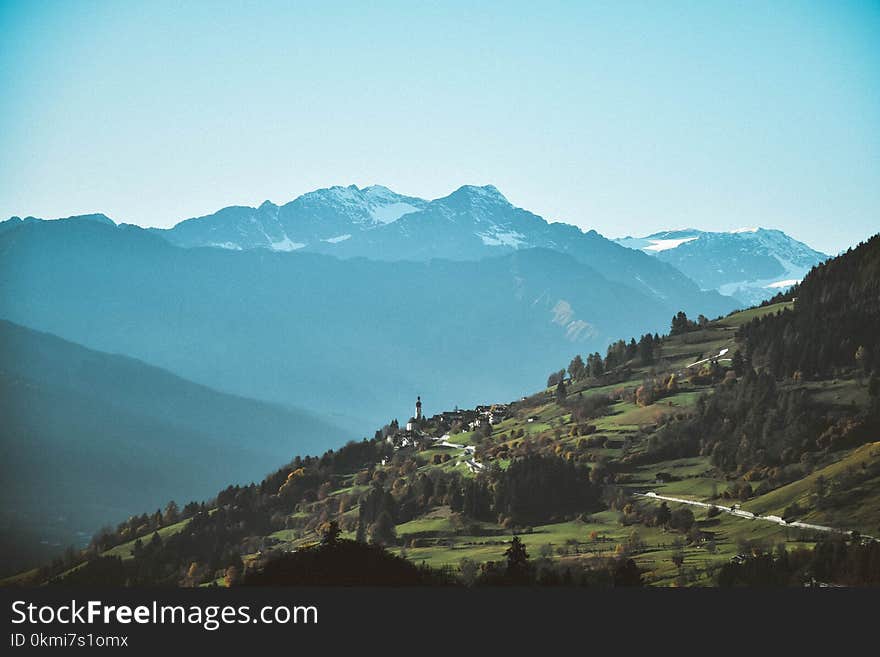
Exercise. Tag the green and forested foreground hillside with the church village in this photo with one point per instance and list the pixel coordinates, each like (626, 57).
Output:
(647, 456)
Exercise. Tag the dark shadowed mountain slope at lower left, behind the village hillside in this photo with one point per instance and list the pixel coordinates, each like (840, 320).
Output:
(89, 438)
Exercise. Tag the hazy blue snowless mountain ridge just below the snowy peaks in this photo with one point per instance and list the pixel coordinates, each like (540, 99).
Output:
(345, 338)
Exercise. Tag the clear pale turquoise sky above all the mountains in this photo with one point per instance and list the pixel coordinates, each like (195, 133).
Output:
(626, 117)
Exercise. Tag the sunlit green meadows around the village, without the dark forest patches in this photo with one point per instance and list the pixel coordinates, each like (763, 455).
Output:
(440, 532)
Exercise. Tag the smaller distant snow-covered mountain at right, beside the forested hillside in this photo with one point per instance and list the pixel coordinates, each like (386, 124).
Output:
(750, 264)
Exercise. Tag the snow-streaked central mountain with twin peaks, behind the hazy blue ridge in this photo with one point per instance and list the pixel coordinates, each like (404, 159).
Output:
(470, 224)
